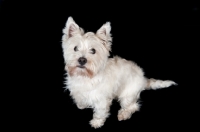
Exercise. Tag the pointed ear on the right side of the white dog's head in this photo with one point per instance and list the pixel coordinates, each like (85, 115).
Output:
(104, 34)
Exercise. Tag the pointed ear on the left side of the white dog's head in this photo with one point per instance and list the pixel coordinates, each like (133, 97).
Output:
(71, 28)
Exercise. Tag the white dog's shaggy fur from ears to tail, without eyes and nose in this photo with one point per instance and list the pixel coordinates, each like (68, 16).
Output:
(102, 79)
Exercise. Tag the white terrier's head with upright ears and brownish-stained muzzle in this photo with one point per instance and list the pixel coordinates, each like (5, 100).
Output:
(85, 54)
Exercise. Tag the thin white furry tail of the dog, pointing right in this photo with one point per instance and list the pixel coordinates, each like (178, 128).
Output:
(157, 84)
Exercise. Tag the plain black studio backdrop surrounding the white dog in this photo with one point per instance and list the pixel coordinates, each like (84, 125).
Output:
(162, 38)
